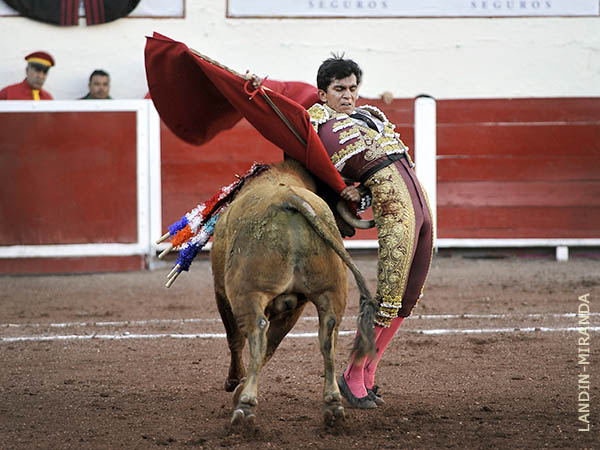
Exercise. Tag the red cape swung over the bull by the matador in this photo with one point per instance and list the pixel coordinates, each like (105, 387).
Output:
(197, 99)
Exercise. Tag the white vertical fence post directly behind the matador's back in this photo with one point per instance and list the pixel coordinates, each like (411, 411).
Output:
(426, 151)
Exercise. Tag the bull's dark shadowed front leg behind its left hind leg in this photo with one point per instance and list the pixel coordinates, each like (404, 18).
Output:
(235, 341)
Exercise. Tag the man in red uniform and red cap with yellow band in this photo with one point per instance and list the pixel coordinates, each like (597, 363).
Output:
(38, 64)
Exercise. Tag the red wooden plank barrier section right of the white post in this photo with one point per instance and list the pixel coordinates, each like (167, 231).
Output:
(520, 168)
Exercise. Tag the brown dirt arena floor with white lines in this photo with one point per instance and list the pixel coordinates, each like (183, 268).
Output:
(489, 360)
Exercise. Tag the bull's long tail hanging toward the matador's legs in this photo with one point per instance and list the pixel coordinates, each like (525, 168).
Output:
(364, 344)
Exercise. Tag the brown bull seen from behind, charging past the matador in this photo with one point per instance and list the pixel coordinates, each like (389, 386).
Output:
(276, 248)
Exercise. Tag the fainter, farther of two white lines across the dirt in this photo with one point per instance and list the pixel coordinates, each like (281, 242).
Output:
(308, 318)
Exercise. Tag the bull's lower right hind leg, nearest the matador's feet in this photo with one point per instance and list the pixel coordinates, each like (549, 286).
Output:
(329, 321)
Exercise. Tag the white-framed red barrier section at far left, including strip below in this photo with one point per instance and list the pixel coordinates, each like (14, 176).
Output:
(68, 178)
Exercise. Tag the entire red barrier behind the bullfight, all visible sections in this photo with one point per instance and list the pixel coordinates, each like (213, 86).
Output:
(521, 168)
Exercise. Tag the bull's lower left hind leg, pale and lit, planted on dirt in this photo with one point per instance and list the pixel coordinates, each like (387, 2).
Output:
(255, 325)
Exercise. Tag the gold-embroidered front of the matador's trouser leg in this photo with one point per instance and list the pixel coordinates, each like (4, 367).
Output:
(395, 220)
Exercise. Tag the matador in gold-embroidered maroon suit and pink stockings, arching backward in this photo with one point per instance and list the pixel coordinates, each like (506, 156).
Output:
(364, 147)
